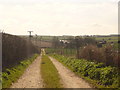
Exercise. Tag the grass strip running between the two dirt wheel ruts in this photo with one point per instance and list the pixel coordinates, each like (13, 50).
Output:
(49, 73)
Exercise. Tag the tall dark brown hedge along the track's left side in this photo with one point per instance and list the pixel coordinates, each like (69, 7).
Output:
(15, 49)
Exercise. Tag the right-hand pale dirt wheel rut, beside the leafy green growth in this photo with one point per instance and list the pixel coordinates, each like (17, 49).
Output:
(69, 79)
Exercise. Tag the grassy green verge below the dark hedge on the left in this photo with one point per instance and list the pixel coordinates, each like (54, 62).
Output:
(12, 75)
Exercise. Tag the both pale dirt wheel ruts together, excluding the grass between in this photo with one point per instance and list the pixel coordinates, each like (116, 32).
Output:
(32, 77)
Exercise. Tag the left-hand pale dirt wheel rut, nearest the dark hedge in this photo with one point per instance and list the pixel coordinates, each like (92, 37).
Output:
(31, 78)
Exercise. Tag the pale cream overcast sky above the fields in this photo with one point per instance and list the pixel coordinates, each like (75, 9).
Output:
(59, 17)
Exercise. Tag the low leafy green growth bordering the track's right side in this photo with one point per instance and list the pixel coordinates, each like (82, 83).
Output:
(100, 75)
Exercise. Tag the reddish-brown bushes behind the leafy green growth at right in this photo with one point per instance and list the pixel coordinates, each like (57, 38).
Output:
(105, 55)
